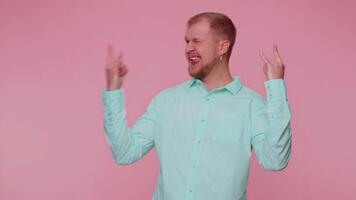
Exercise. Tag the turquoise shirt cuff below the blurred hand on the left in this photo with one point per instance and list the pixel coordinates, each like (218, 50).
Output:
(113, 100)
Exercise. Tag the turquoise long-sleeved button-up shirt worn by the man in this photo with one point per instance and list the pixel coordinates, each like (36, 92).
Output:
(203, 139)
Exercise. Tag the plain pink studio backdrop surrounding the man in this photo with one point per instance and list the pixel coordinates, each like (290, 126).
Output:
(52, 143)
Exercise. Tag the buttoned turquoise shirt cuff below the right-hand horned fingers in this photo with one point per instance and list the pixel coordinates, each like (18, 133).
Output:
(276, 90)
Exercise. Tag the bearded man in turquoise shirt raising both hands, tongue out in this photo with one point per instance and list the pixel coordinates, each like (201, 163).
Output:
(203, 129)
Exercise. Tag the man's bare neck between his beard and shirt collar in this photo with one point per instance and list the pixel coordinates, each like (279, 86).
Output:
(218, 77)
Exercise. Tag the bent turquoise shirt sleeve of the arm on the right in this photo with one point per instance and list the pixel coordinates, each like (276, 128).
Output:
(271, 128)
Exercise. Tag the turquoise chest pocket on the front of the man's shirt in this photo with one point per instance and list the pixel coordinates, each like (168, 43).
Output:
(227, 128)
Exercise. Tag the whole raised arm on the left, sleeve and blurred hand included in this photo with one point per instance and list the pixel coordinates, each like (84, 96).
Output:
(128, 145)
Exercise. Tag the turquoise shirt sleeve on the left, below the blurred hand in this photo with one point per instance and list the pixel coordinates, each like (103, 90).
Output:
(128, 144)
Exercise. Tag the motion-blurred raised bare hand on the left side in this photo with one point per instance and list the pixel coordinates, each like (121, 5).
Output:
(115, 69)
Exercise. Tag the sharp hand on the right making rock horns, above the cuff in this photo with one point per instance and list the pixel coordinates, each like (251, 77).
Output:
(273, 70)
